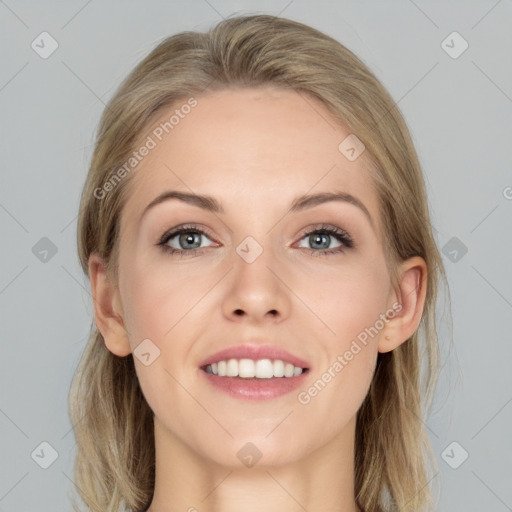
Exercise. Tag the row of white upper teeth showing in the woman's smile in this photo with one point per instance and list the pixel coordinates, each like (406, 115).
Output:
(248, 368)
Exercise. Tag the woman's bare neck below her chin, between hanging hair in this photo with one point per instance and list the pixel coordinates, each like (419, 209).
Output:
(185, 481)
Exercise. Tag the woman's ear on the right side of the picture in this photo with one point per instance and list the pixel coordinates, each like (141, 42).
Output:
(409, 300)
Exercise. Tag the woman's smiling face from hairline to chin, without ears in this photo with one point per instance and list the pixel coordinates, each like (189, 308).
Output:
(255, 276)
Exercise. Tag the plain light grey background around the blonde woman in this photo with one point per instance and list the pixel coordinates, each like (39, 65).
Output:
(459, 112)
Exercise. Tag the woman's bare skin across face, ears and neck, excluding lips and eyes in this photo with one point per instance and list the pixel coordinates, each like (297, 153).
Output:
(254, 150)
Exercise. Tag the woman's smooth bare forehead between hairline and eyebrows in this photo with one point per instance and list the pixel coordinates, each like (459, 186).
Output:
(249, 147)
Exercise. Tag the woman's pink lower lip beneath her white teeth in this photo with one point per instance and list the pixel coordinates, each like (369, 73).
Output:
(255, 389)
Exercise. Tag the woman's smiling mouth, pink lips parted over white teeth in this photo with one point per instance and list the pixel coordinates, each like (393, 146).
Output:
(254, 372)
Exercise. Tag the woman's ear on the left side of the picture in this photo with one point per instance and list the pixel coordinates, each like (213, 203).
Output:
(108, 311)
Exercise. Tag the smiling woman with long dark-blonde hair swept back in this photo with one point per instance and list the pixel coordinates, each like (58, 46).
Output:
(256, 232)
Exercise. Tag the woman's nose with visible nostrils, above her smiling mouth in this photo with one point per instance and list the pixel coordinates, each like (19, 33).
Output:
(256, 291)
